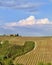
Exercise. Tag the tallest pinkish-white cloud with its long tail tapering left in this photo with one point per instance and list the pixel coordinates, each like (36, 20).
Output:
(24, 22)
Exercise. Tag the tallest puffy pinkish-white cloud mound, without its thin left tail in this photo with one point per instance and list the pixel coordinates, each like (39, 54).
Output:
(29, 21)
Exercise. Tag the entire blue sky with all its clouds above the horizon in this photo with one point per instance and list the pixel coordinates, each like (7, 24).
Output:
(26, 17)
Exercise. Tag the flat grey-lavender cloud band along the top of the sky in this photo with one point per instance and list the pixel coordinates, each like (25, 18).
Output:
(20, 4)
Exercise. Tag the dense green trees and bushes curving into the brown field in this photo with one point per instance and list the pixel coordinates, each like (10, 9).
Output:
(8, 52)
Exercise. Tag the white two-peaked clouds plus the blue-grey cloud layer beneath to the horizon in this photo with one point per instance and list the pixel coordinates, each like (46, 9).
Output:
(29, 26)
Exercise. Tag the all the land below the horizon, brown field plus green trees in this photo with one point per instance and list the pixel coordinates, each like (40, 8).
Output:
(26, 50)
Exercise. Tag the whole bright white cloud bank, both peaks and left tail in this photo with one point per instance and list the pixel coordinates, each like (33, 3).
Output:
(30, 21)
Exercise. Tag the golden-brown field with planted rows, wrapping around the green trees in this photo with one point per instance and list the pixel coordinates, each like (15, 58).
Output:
(41, 53)
